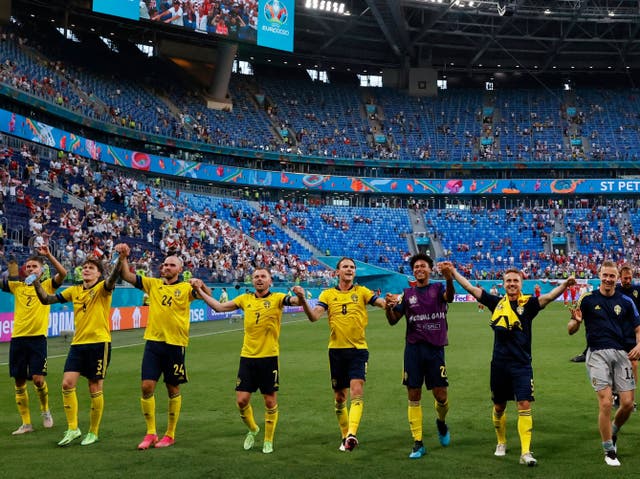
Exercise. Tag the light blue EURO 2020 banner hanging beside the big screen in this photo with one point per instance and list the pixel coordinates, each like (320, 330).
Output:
(276, 24)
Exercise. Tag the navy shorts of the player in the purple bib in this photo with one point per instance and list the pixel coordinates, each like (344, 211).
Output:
(424, 363)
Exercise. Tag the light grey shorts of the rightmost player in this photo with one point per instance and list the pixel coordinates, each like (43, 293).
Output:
(610, 368)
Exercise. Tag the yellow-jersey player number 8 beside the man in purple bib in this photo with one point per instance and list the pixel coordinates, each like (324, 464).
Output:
(346, 307)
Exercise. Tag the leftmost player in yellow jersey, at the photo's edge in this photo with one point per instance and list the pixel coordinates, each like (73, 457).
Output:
(28, 347)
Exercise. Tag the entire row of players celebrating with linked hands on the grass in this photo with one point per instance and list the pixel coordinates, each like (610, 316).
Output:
(610, 315)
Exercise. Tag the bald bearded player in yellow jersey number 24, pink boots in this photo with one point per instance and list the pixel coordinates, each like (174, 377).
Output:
(167, 336)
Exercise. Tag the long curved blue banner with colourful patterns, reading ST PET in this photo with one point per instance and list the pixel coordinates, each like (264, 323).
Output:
(39, 132)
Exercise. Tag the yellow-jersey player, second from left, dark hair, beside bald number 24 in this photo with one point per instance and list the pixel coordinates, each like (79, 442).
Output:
(90, 350)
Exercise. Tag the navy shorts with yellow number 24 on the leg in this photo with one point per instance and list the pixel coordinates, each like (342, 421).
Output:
(164, 359)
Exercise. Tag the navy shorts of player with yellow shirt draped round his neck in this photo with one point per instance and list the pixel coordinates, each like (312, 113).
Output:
(511, 381)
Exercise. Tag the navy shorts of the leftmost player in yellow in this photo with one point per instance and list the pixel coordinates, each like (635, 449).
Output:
(28, 357)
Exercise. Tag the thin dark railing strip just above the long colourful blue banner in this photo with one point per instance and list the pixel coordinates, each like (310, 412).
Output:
(277, 157)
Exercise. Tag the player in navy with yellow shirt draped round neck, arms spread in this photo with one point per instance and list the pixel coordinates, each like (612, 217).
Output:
(511, 371)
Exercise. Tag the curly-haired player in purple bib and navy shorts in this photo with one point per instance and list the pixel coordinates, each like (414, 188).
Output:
(425, 306)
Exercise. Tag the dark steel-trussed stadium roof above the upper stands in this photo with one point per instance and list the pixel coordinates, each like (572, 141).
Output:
(452, 35)
